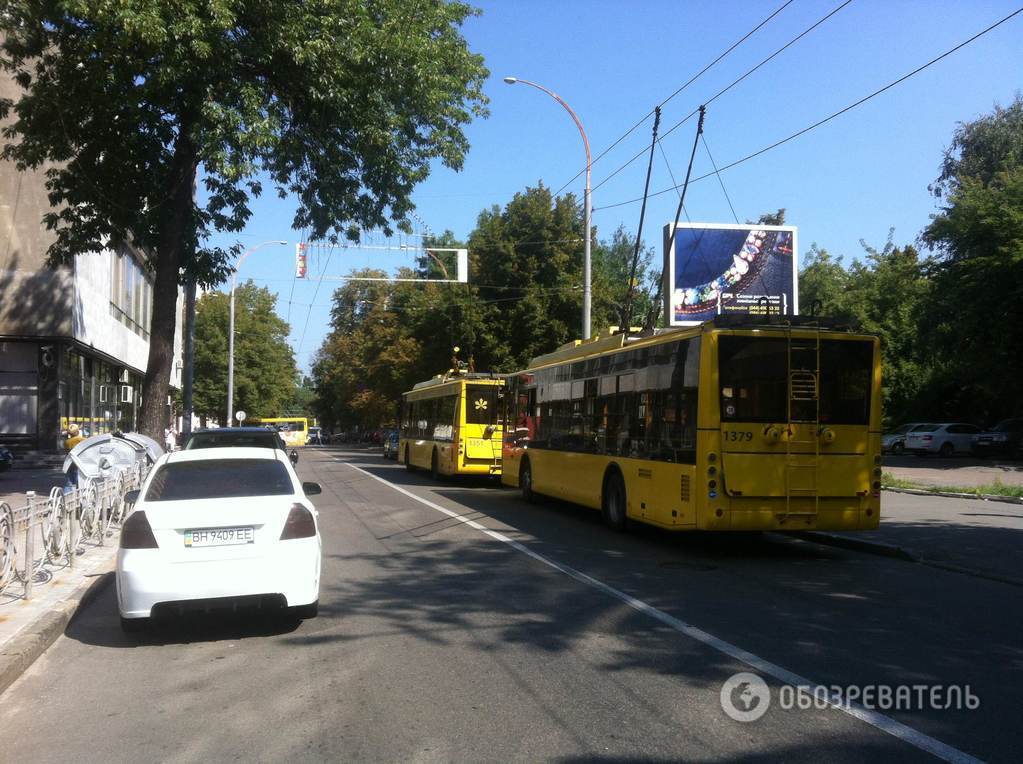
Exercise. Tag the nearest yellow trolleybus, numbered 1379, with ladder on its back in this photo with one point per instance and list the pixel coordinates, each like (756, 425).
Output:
(740, 424)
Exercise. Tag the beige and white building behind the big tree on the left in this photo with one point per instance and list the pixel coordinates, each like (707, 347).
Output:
(74, 340)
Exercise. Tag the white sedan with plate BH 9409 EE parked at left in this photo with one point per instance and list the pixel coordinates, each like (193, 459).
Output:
(216, 527)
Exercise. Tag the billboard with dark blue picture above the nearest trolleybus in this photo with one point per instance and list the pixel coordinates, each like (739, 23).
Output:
(713, 269)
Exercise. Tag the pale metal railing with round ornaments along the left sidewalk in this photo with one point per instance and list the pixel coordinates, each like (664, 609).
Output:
(47, 533)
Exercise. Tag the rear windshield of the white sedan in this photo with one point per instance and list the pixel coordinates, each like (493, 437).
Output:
(219, 479)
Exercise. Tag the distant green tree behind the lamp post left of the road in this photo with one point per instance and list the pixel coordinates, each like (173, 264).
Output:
(264, 366)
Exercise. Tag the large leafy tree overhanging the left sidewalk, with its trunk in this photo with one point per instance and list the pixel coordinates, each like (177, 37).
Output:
(343, 104)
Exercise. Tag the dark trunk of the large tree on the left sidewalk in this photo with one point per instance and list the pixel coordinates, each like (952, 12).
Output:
(155, 416)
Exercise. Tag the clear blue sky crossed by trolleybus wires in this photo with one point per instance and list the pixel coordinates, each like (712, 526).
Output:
(854, 178)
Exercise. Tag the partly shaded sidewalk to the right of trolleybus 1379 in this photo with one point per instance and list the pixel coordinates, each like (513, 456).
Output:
(980, 537)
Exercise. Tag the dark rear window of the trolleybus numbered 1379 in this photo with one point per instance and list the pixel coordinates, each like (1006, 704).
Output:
(754, 388)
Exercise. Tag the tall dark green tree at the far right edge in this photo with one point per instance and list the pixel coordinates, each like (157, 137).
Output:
(974, 316)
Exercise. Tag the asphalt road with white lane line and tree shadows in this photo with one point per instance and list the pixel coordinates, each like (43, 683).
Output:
(520, 633)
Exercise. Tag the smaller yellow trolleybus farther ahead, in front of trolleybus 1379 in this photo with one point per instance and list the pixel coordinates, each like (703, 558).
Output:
(452, 425)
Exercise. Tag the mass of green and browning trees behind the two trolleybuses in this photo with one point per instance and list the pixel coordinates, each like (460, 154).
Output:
(524, 299)
